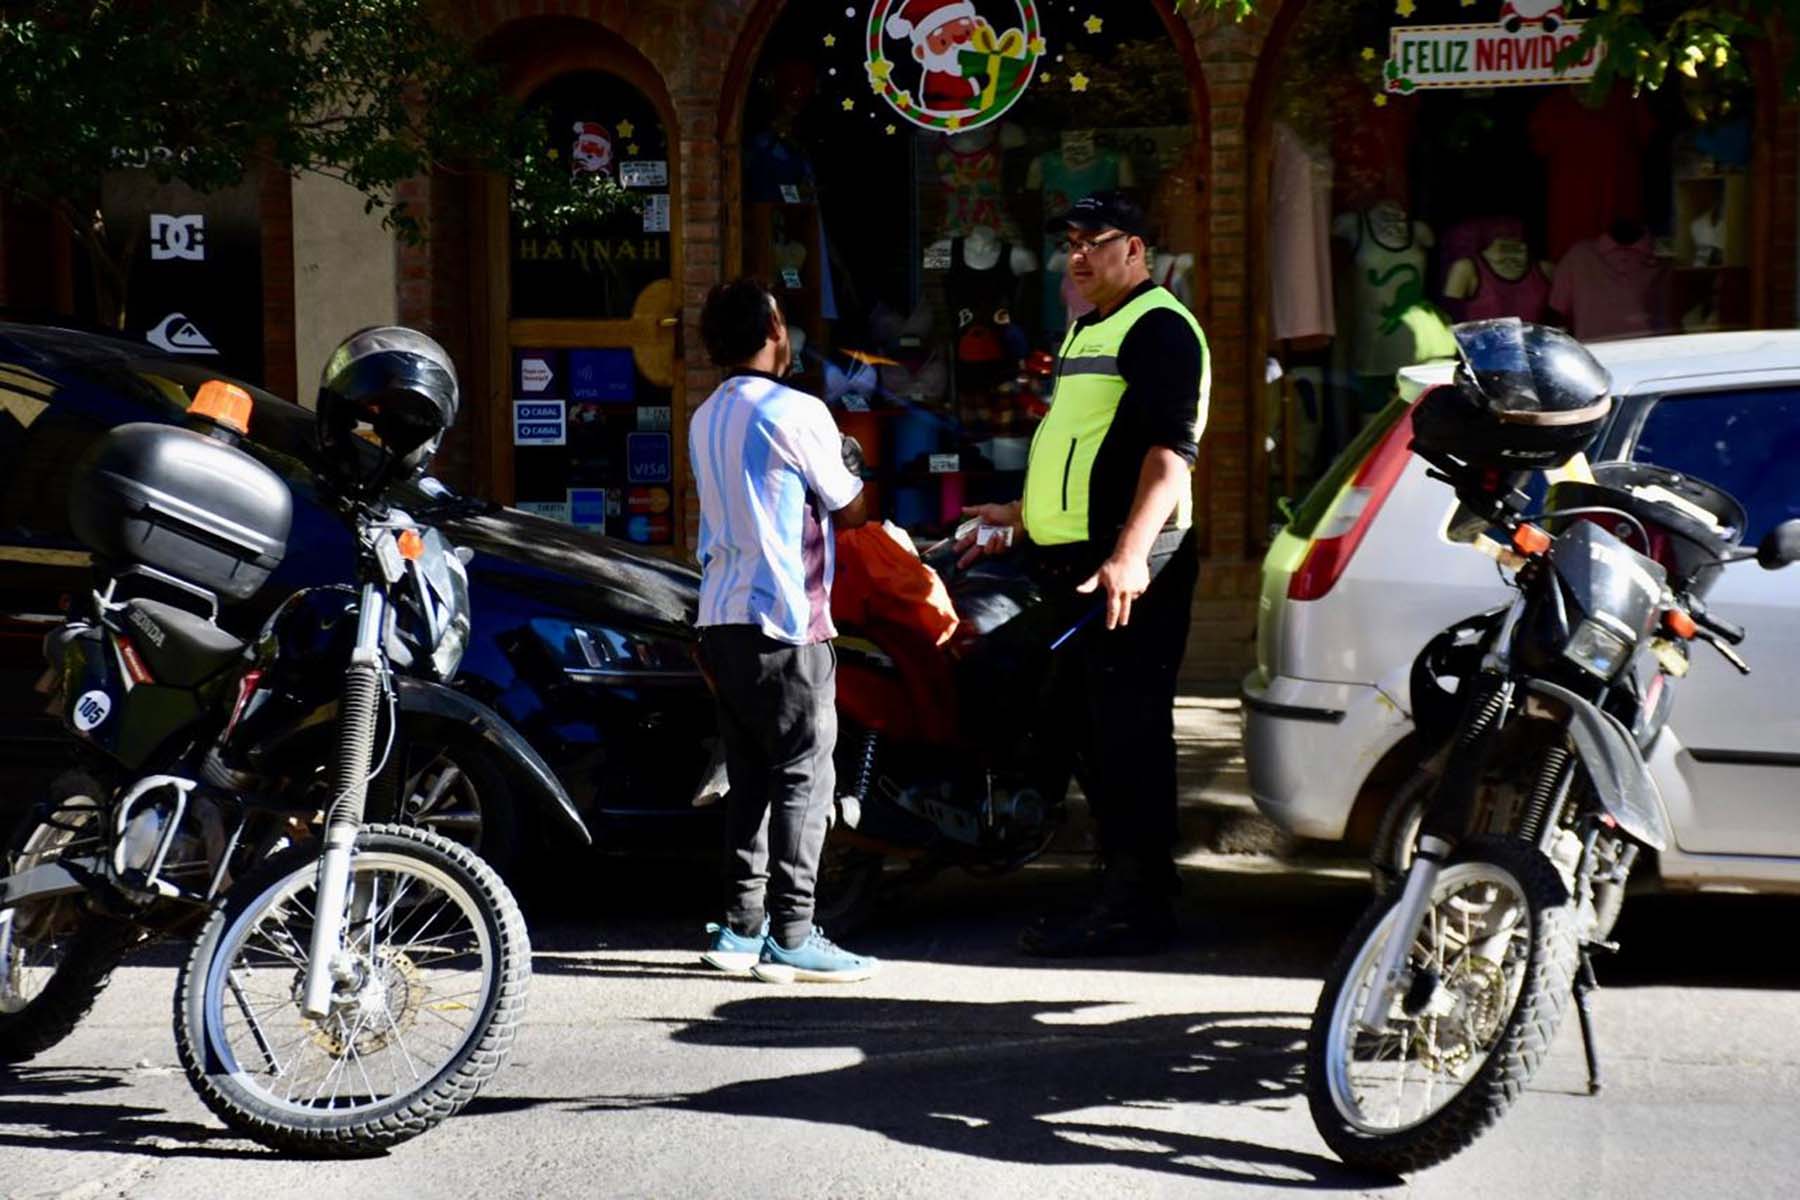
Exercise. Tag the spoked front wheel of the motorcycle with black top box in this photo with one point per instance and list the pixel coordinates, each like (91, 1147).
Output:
(440, 971)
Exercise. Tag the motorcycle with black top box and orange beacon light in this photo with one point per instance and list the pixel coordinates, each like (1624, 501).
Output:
(350, 985)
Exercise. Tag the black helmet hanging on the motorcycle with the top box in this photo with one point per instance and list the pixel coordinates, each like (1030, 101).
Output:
(400, 386)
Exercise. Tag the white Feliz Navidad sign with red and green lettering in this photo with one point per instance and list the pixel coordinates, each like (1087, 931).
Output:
(1520, 49)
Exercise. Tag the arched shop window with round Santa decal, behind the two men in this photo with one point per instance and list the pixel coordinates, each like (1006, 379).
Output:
(899, 166)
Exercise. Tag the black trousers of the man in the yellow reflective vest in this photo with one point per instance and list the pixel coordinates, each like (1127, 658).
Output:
(1113, 695)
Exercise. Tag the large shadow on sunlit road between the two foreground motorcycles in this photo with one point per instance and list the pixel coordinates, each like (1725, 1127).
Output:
(1020, 1082)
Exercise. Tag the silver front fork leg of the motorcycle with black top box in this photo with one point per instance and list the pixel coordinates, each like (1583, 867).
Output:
(330, 962)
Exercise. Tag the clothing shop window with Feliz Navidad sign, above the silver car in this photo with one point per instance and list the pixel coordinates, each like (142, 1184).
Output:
(1432, 168)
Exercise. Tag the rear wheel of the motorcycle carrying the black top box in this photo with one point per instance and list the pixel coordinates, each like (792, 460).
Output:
(58, 956)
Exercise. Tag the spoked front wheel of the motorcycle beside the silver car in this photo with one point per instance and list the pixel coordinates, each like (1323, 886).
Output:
(1493, 971)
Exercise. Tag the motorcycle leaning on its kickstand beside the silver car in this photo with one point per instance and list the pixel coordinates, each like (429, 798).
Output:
(1452, 987)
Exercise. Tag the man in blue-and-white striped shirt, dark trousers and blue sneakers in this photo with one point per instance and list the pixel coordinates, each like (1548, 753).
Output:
(773, 483)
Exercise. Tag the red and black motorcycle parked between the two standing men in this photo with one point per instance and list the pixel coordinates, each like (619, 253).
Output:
(948, 757)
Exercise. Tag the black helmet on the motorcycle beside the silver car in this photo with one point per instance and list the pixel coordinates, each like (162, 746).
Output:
(1525, 399)
